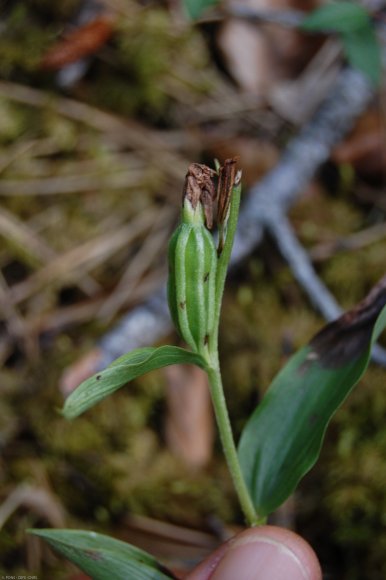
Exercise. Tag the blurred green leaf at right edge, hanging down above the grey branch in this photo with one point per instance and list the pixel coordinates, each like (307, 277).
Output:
(363, 52)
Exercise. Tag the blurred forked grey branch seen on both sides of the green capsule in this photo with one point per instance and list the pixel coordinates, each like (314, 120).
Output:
(265, 208)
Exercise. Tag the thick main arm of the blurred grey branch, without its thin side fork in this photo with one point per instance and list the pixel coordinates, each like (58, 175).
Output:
(303, 156)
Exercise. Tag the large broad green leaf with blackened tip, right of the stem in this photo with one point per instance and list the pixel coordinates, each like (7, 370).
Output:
(282, 439)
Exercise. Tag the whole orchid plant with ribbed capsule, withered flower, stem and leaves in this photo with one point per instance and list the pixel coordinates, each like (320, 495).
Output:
(281, 440)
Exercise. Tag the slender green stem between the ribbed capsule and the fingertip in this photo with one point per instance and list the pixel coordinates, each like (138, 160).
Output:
(228, 445)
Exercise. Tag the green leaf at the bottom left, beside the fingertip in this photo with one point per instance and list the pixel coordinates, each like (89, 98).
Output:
(102, 557)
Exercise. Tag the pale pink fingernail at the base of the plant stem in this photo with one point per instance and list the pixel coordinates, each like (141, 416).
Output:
(260, 558)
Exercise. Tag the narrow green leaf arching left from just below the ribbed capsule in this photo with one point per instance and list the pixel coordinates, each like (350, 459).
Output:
(121, 371)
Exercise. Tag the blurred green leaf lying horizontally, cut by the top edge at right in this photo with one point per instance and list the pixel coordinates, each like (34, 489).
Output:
(342, 17)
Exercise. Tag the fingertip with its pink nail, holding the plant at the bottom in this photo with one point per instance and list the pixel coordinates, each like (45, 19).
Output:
(256, 543)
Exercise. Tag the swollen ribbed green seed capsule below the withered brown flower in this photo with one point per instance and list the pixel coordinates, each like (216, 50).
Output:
(191, 284)
